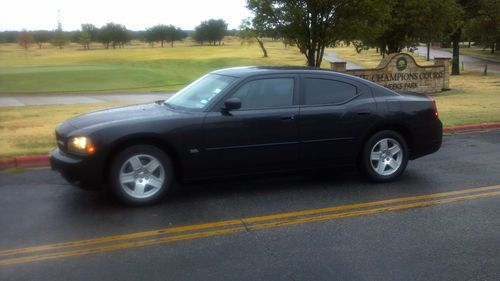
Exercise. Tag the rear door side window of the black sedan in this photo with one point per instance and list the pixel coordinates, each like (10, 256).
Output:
(325, 91)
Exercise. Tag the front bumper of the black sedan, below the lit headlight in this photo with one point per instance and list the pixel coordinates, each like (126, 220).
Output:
(84, 172)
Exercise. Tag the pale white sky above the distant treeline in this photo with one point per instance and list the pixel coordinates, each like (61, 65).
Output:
(135, 15)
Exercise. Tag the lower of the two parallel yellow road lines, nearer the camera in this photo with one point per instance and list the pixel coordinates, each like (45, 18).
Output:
(241, 228)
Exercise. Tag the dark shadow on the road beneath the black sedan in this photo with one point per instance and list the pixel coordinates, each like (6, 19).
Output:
(323, 187)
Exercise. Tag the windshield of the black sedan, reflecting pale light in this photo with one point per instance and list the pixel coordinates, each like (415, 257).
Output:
(198, 94)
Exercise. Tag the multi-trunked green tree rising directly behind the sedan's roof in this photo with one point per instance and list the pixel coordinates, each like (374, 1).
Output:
(314, 25)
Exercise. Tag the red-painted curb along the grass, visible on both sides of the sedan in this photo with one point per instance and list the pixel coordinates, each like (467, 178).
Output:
(43, 160)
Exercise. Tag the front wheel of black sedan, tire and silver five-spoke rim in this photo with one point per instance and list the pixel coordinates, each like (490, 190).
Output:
(140, 186)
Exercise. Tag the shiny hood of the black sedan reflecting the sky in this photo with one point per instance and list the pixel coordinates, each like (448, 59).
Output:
(120, 114)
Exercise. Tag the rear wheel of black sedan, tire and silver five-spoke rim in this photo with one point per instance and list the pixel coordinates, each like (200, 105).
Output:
(386, 168)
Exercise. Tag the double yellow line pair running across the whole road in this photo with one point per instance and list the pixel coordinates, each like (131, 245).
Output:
(167, 235)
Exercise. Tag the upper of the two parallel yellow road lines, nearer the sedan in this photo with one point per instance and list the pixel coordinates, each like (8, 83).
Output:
(164, 231)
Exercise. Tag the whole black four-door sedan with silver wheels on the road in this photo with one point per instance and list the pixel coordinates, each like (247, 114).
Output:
(247, 120)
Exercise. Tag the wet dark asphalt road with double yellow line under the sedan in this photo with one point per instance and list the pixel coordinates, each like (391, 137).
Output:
(222, 230)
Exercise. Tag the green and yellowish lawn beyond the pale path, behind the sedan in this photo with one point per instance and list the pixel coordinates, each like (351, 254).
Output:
(135, 68)
